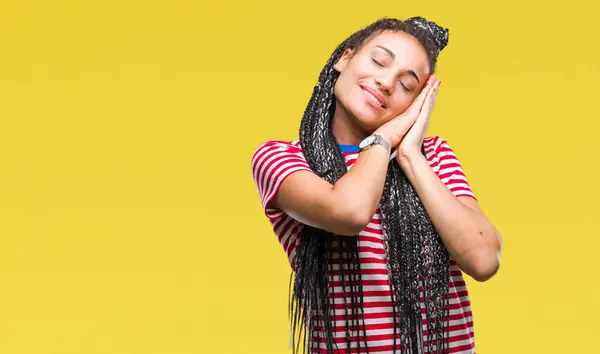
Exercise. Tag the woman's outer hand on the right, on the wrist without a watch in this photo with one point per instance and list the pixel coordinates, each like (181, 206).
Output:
(413, 140)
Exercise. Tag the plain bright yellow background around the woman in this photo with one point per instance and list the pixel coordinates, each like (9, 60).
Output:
(129, 221)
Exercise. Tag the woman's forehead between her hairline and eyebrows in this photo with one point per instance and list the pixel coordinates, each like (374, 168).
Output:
(407, 49)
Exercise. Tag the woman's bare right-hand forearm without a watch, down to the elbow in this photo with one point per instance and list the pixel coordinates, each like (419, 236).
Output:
(468, 235)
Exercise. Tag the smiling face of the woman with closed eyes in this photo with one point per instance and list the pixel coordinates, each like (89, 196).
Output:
(381, 80)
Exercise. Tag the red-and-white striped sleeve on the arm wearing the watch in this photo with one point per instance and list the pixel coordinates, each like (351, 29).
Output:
(272, 162)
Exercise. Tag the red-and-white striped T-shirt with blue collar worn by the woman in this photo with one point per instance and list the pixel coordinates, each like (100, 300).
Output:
(275, 160)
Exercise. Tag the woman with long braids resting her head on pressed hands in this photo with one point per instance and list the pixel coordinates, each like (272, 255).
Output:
(378, 221)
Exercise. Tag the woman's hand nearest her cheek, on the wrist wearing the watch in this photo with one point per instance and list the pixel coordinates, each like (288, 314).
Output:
(394, 130)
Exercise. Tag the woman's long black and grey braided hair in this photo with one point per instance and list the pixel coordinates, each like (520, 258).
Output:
(417, 260)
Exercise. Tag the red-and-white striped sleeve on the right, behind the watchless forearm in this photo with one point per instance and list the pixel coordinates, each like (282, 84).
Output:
(451, 171)
